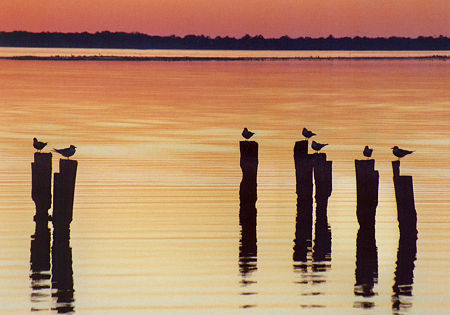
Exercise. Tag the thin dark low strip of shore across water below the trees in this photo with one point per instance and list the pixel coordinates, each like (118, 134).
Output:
(132, 58)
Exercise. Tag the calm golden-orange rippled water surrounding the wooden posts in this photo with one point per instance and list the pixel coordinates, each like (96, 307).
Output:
(156, 214)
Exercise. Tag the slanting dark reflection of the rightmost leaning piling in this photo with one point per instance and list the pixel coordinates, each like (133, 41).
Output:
(404, 272)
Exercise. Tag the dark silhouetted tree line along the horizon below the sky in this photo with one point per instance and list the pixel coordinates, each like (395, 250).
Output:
(142, 41)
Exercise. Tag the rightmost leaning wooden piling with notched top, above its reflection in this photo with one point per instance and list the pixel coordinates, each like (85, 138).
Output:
(404, 195)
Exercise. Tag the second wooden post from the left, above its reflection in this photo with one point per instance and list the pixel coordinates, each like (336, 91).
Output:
(63, 193)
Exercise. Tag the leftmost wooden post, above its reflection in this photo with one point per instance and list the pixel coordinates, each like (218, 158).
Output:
(41, 183)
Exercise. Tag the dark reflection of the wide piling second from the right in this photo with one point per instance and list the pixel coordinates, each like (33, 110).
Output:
(366, 272)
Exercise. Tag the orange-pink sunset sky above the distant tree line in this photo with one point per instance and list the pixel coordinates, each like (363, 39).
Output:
(270, 18)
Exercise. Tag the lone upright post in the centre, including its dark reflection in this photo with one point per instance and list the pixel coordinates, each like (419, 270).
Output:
(247, 209)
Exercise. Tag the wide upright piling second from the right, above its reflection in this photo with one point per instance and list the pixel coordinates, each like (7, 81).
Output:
(367, 182)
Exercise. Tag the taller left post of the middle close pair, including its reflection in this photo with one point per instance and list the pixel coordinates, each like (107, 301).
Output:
(304, 190)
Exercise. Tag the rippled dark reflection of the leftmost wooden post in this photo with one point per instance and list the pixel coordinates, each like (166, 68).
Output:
(40, 267)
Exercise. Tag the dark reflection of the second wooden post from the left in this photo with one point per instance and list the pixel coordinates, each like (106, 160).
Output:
(62, 273)
